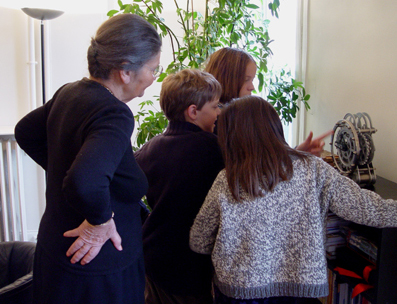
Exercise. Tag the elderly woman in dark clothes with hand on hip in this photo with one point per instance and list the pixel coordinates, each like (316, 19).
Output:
(89, 247)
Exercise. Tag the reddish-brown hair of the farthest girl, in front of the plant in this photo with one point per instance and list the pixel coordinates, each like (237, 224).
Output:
(228, 65)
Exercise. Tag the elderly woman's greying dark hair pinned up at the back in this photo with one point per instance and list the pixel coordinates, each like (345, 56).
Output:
(123, 42)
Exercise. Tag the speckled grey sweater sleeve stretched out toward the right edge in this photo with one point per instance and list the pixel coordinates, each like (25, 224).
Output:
(362, 206)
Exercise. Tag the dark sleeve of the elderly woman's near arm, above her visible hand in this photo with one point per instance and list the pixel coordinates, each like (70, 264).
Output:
(87, 182)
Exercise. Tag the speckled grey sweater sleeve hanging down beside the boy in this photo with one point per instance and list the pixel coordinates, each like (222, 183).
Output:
(205, 227)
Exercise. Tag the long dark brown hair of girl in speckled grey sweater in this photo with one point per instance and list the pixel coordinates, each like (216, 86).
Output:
(252, 141)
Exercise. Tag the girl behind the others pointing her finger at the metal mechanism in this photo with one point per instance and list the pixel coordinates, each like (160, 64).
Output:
(235, 70)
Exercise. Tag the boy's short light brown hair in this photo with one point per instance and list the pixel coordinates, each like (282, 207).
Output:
(185, 88)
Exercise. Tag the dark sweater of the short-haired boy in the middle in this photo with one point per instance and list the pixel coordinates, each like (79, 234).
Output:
(180, 165)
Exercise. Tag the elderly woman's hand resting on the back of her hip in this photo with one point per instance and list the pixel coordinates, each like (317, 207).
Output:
(90, 240)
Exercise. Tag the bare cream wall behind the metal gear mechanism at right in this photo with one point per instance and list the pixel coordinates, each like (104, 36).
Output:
(352, 64)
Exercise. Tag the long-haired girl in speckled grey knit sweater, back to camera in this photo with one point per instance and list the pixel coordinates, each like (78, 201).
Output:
(263, 221)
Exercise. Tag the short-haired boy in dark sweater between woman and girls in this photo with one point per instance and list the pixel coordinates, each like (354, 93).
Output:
(180, 165)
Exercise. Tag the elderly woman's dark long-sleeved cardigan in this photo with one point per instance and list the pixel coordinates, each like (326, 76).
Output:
(82, 138)
